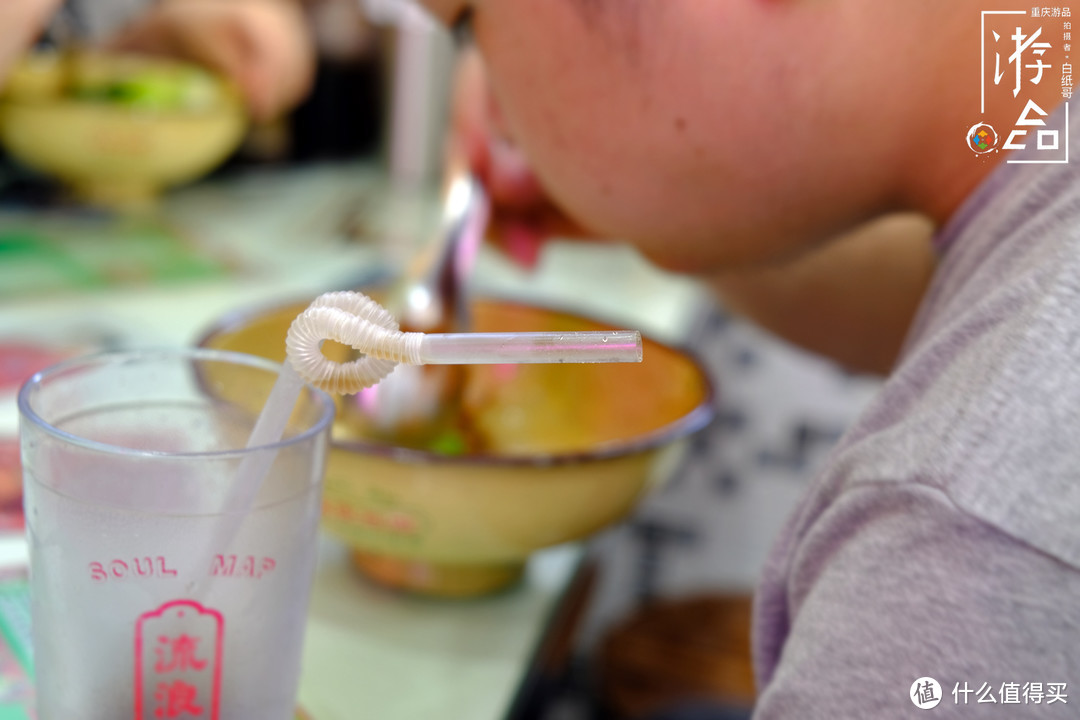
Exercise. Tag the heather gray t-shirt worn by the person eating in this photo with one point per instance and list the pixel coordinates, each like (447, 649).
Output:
(943, 539)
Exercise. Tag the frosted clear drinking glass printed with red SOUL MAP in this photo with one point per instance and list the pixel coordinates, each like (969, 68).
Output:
(154, 594)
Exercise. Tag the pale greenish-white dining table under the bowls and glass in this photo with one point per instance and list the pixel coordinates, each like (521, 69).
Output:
(75, 280)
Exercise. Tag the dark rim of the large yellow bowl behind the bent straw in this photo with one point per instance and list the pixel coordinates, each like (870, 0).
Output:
(690, 424)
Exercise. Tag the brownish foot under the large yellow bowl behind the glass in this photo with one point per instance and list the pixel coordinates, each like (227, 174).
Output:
(437, 579)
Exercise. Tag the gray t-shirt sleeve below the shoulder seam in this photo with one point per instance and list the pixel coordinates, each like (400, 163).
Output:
(894, 583)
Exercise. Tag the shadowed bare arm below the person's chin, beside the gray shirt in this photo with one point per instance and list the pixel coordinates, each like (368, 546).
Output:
(852, 301)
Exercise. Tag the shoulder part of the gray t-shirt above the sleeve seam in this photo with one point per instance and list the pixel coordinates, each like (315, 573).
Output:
(985, 403)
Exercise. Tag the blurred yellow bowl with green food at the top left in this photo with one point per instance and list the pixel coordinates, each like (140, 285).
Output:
(118, 129)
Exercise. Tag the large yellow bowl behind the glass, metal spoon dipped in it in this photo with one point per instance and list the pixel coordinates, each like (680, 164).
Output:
(556, 453)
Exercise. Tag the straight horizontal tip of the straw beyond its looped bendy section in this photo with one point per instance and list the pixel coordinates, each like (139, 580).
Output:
(492, 348)
